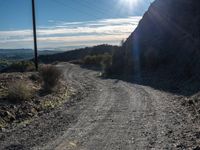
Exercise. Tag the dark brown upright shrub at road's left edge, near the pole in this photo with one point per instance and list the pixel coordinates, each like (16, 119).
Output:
(50, 76)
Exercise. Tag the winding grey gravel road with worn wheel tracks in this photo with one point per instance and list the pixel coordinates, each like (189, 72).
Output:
(107, 114)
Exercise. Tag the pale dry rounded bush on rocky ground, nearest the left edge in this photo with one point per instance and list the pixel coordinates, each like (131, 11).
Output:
(19, 91)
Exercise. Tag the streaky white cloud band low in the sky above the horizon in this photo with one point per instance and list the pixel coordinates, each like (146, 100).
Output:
(68, 34)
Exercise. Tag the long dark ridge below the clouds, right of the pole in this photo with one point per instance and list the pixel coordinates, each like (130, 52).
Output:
(77, 54)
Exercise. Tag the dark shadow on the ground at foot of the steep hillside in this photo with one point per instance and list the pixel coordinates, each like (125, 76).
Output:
(179, 86)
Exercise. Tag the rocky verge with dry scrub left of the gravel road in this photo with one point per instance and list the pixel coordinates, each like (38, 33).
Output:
(21, 98)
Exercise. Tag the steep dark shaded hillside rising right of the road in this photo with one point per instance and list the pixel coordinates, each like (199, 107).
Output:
(168, 36)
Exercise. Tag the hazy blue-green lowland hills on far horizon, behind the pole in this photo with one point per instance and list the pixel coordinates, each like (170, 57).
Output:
(21, 54)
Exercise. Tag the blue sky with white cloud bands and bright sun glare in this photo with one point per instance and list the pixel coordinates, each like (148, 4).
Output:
(69, 24)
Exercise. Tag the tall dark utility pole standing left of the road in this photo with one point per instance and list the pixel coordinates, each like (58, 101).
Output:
(35, 35)
